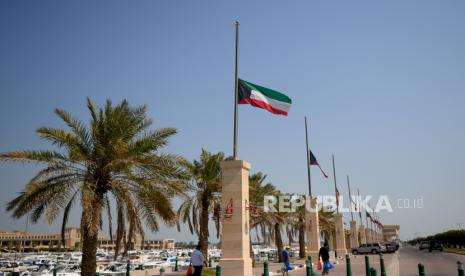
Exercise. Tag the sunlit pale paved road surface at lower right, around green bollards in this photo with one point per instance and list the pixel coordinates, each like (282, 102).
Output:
(402, 263)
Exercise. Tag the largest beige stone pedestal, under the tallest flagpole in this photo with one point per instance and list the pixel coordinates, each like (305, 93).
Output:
(235, 240)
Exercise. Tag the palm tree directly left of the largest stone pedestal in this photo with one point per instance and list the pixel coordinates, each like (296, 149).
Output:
(205, 197)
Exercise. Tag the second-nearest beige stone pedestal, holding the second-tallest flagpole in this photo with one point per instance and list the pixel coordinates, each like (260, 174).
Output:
(313, 228)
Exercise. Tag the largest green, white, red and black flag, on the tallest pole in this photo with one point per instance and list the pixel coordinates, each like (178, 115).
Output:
(262, 97)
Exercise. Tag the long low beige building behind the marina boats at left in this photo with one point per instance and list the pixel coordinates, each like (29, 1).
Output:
(22, 241)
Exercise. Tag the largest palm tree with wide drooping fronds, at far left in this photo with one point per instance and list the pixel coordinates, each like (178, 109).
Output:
(115, 159)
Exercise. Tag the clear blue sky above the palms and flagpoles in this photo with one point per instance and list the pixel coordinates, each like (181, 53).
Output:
(382, 84)
